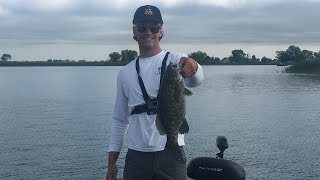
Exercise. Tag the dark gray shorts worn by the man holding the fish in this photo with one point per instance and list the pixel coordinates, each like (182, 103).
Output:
(169, 164)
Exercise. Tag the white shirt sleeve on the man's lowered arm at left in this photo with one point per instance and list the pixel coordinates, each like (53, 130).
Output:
(120, 118)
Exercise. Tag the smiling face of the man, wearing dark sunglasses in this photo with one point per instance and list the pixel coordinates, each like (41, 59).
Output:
(147, 34)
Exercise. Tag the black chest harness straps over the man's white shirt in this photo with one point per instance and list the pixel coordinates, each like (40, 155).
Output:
(151, 105)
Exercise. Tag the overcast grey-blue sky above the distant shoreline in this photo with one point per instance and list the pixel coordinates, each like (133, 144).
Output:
(92, 29)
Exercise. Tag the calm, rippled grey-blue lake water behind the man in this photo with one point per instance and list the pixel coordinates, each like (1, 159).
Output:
(54, 121)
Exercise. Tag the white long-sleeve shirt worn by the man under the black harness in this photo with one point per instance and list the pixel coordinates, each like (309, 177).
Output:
(142, 134)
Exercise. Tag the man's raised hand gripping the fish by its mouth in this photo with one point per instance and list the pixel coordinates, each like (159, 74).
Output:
(190, 66)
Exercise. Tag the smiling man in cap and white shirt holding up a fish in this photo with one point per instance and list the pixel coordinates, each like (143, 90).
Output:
(147, 158)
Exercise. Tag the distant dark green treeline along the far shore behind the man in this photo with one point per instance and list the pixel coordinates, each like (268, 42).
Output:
(290, 56)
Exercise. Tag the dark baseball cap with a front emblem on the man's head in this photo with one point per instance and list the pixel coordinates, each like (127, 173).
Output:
(147, 13)
